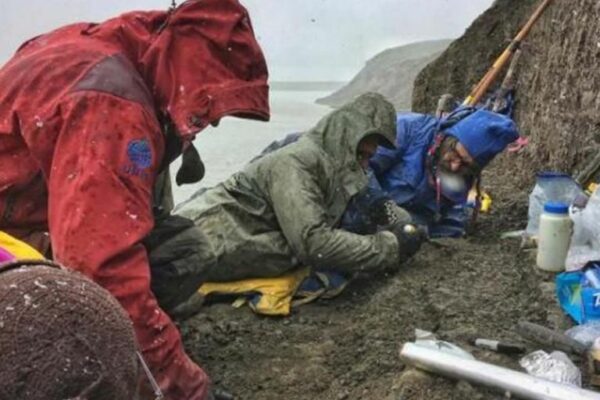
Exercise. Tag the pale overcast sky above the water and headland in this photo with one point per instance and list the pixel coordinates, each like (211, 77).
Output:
(302, 39)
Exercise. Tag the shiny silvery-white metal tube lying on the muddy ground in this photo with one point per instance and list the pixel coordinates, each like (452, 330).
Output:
(506, 380)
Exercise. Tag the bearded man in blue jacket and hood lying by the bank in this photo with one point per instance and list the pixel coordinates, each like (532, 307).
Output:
(436, 163)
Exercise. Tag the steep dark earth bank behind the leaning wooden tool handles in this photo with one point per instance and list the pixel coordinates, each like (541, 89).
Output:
(558, 88)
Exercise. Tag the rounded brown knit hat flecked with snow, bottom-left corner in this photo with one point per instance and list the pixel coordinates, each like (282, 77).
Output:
(62, 336)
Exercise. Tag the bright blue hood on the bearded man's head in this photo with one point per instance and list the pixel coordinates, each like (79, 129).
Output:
(484, 134)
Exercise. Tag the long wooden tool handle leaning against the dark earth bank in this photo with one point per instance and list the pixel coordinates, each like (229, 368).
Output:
(489, 78)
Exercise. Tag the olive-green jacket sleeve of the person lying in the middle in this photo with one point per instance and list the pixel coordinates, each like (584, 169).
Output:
(299, 206)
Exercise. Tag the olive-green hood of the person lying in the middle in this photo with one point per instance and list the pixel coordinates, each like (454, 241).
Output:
(340, 132)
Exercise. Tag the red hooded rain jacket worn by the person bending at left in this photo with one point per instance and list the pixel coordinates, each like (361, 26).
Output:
(82, 111)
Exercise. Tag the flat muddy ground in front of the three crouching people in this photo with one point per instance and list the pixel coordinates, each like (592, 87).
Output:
(347, 348)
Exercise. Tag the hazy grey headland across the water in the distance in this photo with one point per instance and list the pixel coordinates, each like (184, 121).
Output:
(390, 73)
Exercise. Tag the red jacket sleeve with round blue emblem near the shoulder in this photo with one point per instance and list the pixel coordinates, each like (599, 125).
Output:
(100, 193)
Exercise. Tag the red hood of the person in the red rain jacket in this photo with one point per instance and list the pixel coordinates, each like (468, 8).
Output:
(201, 61)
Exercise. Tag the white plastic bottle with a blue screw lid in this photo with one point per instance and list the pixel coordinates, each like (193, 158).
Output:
(556, 229)
